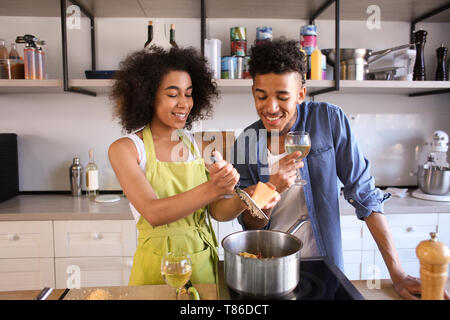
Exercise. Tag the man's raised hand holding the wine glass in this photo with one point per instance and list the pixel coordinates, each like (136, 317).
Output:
(285, 171)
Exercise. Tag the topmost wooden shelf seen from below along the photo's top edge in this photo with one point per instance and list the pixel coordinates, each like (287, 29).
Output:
(405, 10)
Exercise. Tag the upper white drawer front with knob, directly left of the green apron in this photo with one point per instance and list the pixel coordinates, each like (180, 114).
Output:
(105, 238)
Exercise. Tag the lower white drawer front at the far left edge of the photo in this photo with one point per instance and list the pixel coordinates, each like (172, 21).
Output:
(26, 274)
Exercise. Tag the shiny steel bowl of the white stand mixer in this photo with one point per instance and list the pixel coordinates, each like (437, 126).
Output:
(435, 180)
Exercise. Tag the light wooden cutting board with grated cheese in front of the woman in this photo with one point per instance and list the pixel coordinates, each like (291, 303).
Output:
(150, 292)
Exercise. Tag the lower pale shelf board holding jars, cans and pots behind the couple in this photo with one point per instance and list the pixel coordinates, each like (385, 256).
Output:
(233, 86)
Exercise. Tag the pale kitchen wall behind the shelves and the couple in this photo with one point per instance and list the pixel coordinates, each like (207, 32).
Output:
(54, 128)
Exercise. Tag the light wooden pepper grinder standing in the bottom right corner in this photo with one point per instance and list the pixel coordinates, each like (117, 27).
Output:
(434, 257)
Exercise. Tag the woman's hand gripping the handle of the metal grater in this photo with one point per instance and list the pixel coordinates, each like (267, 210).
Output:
(224, 176)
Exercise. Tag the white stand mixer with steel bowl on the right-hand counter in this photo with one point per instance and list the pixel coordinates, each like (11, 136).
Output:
(433, 174)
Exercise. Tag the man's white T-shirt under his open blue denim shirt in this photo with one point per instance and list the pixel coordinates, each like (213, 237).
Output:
(291, 206)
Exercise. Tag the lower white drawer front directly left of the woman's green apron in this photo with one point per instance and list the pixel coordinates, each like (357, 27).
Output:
(92, 271)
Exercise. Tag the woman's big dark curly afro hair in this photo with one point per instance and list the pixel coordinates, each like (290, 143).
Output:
(140, 75)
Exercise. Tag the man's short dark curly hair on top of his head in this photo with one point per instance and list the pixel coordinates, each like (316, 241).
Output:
(277, 56)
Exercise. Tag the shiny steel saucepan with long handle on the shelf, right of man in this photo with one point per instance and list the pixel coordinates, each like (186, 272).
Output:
(355, 62)
